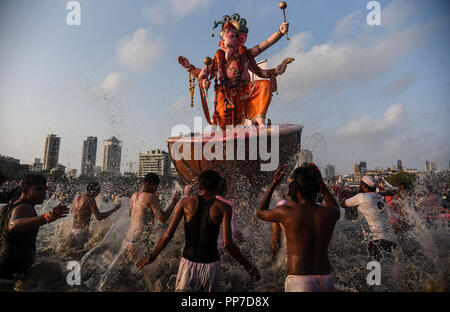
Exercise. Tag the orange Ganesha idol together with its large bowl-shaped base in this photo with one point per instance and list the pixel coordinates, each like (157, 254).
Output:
(237, 98)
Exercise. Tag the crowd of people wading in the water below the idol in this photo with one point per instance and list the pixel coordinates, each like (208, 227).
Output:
(306, 218)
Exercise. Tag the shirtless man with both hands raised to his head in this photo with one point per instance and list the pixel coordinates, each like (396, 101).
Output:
(308, 227)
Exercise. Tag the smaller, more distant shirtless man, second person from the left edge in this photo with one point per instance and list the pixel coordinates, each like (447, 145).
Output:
(84, 206)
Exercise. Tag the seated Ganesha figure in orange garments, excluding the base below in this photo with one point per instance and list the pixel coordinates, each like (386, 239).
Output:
(237, 98)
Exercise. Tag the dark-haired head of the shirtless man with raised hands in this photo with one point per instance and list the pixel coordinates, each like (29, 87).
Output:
(305, 183)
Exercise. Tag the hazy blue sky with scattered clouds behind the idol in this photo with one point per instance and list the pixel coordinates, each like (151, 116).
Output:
(373, 93)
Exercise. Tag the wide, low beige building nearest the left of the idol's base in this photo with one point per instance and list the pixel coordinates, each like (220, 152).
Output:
(155, 161)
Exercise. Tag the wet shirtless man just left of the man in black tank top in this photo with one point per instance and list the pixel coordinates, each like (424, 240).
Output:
(144, 207)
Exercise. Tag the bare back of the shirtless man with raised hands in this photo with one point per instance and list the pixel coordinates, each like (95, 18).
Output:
(309, 228)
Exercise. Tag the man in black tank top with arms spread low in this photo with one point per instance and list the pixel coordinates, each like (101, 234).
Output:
(203, 214)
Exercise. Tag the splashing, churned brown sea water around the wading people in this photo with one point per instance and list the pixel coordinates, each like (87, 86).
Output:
(421, 262)
